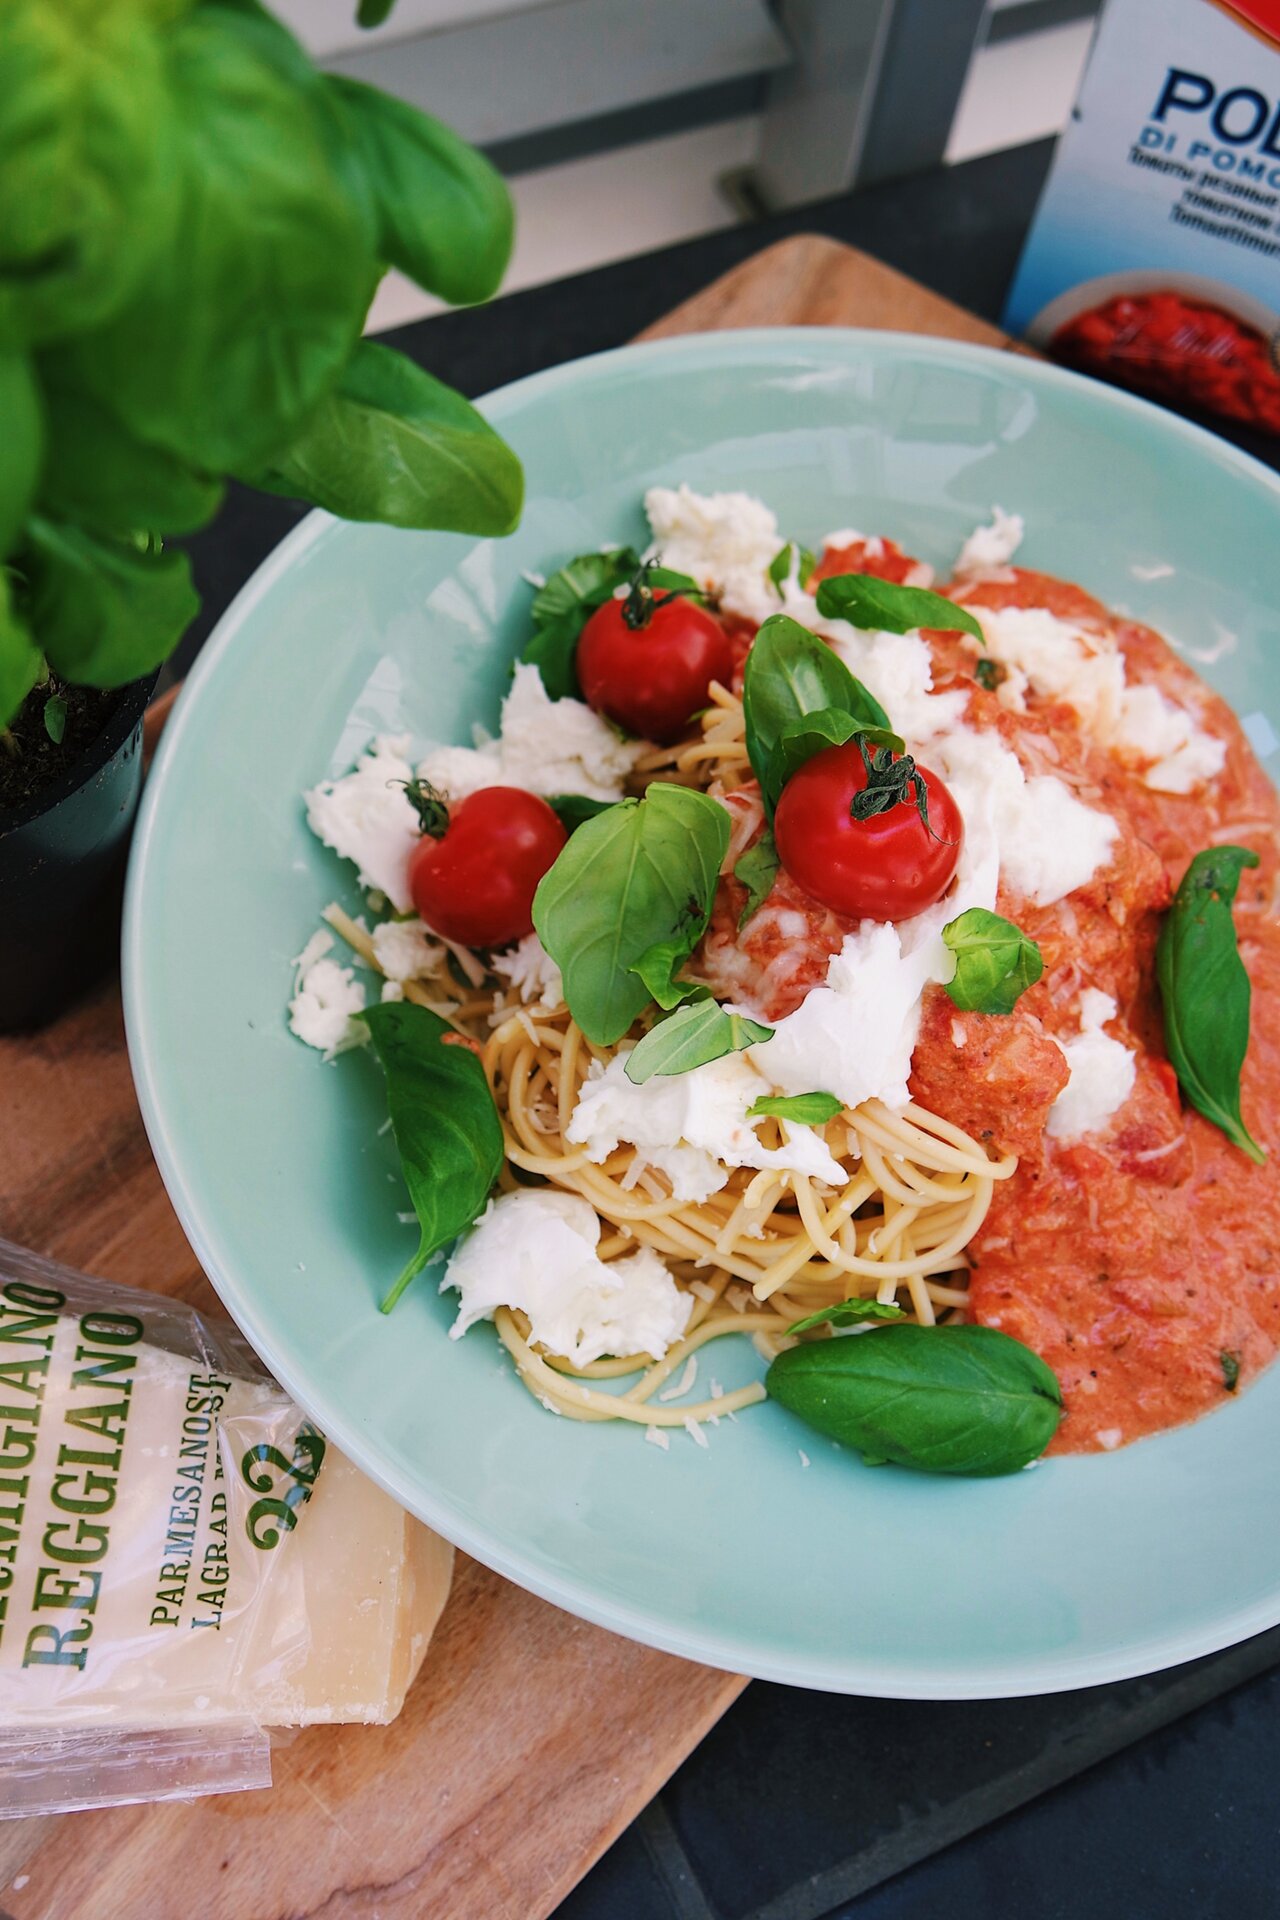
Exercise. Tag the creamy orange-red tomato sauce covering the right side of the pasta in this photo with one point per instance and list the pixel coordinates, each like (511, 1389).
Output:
(1141, 1262)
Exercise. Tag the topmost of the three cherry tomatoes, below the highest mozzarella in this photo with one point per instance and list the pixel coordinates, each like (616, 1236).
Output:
(648, 661)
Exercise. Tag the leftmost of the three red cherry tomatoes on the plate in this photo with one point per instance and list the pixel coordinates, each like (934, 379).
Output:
(477, 882)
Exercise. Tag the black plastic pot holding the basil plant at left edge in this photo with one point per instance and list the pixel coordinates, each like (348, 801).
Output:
(62, 873)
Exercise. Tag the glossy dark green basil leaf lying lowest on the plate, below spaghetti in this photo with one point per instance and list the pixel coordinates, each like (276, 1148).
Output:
(939, 1399)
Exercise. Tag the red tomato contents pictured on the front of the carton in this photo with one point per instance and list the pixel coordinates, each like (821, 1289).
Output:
(1185, 350)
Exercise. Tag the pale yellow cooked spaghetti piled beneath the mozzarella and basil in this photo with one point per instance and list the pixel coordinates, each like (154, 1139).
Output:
(761, 1253)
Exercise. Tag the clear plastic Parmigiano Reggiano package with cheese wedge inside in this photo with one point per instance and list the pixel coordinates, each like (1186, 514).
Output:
(185, 1562)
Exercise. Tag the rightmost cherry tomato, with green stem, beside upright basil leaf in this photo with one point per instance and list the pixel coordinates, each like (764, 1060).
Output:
(884, 867)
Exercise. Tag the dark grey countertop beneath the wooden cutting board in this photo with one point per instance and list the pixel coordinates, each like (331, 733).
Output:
(1145, 1800)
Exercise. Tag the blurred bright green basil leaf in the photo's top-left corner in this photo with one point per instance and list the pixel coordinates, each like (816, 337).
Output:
(87, 153)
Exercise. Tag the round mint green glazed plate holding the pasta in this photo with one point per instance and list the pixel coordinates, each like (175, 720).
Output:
(826, 1575)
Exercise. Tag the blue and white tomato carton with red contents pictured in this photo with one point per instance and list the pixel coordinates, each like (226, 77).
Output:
(1154, 258)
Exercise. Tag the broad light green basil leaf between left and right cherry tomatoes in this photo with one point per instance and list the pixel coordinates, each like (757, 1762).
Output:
(638, 875)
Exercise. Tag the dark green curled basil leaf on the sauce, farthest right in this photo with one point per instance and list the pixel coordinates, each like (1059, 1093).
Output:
(1206, 992)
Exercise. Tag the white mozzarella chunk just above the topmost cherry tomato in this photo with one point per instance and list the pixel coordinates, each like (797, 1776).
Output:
(726, 542)
